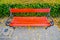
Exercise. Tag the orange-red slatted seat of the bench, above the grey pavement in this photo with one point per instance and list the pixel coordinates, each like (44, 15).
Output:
(29, 21)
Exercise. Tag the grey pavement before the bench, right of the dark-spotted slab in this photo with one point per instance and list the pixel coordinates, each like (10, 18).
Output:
(52, 33)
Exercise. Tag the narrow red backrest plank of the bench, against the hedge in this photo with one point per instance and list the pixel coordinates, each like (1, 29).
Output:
(42, 10)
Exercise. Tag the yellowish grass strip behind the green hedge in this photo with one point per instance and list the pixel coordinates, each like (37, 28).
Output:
(27, 1)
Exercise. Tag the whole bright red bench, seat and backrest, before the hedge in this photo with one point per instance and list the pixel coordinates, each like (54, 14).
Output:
(30, 21)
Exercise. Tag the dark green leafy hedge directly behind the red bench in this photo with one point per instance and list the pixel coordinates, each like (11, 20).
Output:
(55, 9)
